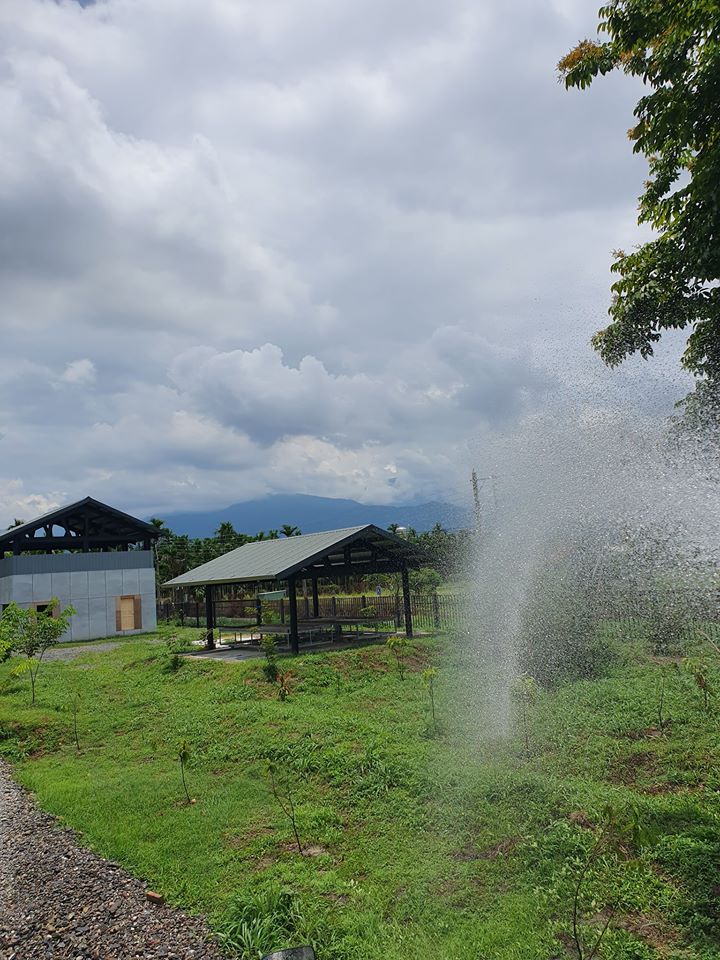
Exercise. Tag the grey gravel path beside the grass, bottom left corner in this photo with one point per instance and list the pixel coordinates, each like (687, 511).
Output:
(61, 902)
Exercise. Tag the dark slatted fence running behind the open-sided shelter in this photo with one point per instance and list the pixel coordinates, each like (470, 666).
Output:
(429, 612)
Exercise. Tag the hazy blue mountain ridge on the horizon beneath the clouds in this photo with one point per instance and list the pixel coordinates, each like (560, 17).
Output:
(312, 514)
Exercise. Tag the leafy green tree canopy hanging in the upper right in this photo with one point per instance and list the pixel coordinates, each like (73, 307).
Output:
(672, 280)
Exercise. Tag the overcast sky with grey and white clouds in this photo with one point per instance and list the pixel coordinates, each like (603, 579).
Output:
(313, 246)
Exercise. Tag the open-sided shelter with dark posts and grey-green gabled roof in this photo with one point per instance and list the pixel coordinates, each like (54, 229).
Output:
(351, 552)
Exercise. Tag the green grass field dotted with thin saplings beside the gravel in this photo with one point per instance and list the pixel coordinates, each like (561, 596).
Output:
(446, 844)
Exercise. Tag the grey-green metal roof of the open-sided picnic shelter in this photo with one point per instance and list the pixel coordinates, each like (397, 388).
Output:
(279, 559)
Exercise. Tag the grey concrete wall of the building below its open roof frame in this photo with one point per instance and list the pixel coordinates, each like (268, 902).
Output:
(81, 579)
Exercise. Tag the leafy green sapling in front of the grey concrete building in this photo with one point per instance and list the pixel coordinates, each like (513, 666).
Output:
(32, 633)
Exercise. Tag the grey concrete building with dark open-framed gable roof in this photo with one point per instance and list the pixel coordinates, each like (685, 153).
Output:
(89, 555)
